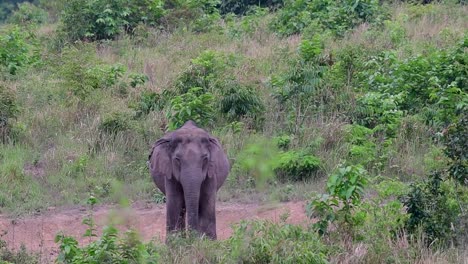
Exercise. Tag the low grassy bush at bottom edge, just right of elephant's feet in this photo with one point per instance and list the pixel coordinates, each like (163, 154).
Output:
(266, 242)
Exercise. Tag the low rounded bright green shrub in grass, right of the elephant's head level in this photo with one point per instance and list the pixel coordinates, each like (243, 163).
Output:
(296, 166)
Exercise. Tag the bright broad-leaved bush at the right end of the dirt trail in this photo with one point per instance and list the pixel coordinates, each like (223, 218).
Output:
(344, 191)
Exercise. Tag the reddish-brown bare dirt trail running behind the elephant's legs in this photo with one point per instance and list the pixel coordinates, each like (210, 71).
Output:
(37, 233)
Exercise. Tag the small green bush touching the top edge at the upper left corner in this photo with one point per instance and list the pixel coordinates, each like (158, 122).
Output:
(28, 13)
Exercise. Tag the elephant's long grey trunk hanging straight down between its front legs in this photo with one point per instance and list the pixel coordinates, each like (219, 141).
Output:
(191, 182)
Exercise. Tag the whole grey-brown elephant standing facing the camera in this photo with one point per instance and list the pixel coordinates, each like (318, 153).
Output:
(189, 166)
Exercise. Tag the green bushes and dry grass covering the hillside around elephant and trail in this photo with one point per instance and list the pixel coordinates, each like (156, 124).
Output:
(358, 107)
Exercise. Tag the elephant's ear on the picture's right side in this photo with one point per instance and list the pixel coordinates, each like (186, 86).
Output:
(219, 165)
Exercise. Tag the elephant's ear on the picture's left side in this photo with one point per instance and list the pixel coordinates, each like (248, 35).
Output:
(159, 160)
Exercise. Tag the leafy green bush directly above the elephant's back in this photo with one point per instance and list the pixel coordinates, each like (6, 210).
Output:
(193, 105)
